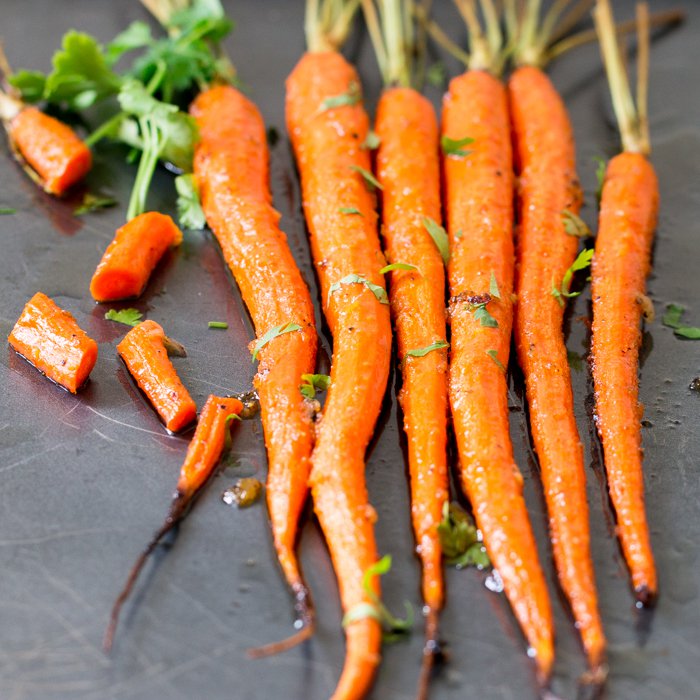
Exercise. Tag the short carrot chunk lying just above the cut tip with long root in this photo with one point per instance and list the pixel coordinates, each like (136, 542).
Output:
(144, 353)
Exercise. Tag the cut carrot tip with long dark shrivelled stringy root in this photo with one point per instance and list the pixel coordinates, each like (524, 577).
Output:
(203, 455)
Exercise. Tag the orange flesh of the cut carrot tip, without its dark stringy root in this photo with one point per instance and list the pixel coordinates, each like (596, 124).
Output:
(207, 443)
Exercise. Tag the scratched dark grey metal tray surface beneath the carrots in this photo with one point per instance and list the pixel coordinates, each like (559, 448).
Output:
(84, 481)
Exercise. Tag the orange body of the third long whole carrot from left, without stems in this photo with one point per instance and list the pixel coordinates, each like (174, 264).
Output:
(408, 168)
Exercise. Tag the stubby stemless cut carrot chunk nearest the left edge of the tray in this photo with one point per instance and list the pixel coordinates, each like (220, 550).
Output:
(50, 338)
